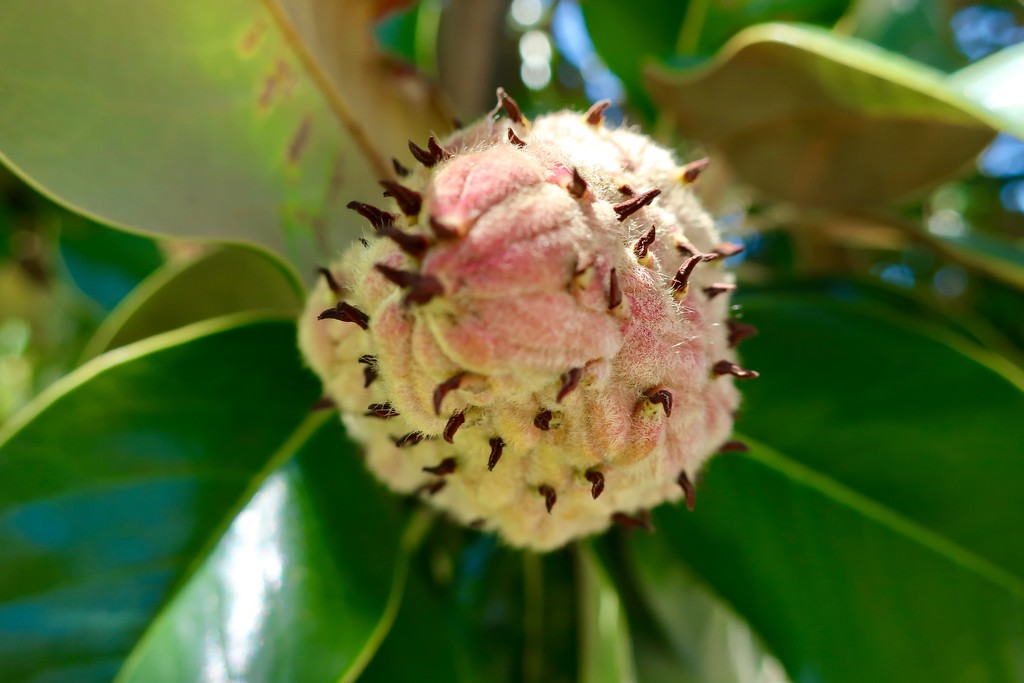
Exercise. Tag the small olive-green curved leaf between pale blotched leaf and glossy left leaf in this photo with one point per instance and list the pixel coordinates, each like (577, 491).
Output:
(228, 280)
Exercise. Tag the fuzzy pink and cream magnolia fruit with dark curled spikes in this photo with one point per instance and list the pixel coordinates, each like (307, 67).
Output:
(537, 340)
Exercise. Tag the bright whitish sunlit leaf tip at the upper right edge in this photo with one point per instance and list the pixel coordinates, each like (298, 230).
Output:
(995, 83)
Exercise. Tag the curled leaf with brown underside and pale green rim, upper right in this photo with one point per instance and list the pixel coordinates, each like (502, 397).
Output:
(809, 116)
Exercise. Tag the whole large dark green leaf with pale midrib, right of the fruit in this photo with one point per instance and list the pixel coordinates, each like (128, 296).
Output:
(879, 541)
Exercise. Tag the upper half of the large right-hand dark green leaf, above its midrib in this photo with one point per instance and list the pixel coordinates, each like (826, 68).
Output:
(928, 426)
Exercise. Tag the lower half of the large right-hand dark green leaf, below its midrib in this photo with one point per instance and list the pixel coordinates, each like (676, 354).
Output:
(841, 587)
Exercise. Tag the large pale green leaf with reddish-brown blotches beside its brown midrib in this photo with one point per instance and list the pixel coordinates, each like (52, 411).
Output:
(242, 121)
